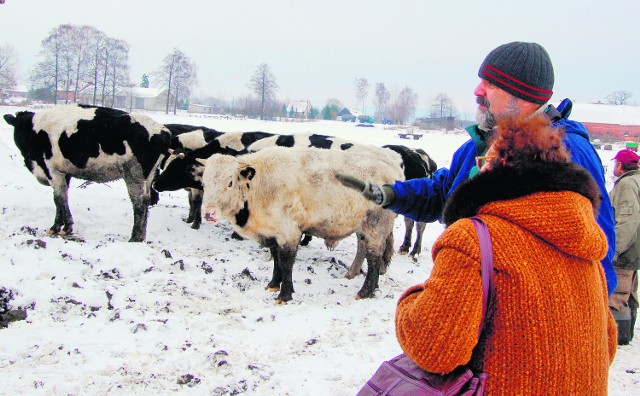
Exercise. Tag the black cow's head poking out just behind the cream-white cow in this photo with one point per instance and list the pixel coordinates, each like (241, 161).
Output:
(180, 170)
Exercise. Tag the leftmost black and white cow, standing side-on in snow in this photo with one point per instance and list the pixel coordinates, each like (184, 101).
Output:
(92, 143)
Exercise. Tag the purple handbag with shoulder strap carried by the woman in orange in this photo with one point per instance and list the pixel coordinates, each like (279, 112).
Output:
(401, 376)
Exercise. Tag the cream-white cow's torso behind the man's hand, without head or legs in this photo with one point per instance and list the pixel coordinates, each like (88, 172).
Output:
(297, 186)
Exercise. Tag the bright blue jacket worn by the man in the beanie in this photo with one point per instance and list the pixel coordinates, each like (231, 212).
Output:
(423, 199)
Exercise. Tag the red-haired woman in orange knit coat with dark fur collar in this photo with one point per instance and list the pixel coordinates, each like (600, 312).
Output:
(548, 328)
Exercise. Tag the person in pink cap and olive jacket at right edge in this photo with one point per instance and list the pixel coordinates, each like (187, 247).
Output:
(625, 198)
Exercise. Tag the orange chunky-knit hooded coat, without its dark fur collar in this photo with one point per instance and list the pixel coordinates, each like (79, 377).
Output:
(548, 330)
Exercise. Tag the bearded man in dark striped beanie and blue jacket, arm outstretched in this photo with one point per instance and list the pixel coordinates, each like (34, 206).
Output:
(515, 79)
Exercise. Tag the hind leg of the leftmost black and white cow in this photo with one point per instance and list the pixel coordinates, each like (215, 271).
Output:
(138, 189)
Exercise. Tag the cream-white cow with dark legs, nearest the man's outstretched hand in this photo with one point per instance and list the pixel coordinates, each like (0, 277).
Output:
(275, 195)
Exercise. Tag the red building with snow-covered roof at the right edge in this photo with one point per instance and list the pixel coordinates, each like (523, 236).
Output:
(608, 122)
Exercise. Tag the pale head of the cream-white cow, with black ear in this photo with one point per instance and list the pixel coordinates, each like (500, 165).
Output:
(226, 181)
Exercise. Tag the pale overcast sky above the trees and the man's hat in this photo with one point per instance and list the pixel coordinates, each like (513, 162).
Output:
(316, 49)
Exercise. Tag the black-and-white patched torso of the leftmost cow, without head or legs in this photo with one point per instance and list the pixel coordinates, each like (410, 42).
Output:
(96, 143)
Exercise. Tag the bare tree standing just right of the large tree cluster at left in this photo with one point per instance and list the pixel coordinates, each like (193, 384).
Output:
(178, 75)
